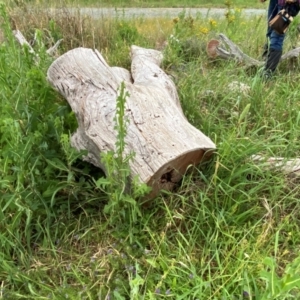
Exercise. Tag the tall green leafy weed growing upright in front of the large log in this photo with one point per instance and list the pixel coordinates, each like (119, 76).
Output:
(123, 192)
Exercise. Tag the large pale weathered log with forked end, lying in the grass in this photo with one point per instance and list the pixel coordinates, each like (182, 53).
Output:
(164, 142)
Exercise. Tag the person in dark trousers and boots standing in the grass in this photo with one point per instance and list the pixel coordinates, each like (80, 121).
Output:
(273, 48)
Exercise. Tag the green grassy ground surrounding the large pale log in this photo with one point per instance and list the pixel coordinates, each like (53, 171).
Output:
(230, 230)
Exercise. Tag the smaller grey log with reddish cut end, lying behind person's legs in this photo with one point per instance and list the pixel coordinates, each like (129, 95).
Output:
(226, 49)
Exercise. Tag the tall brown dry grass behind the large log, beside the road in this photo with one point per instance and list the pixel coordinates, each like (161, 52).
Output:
(76, 29)
